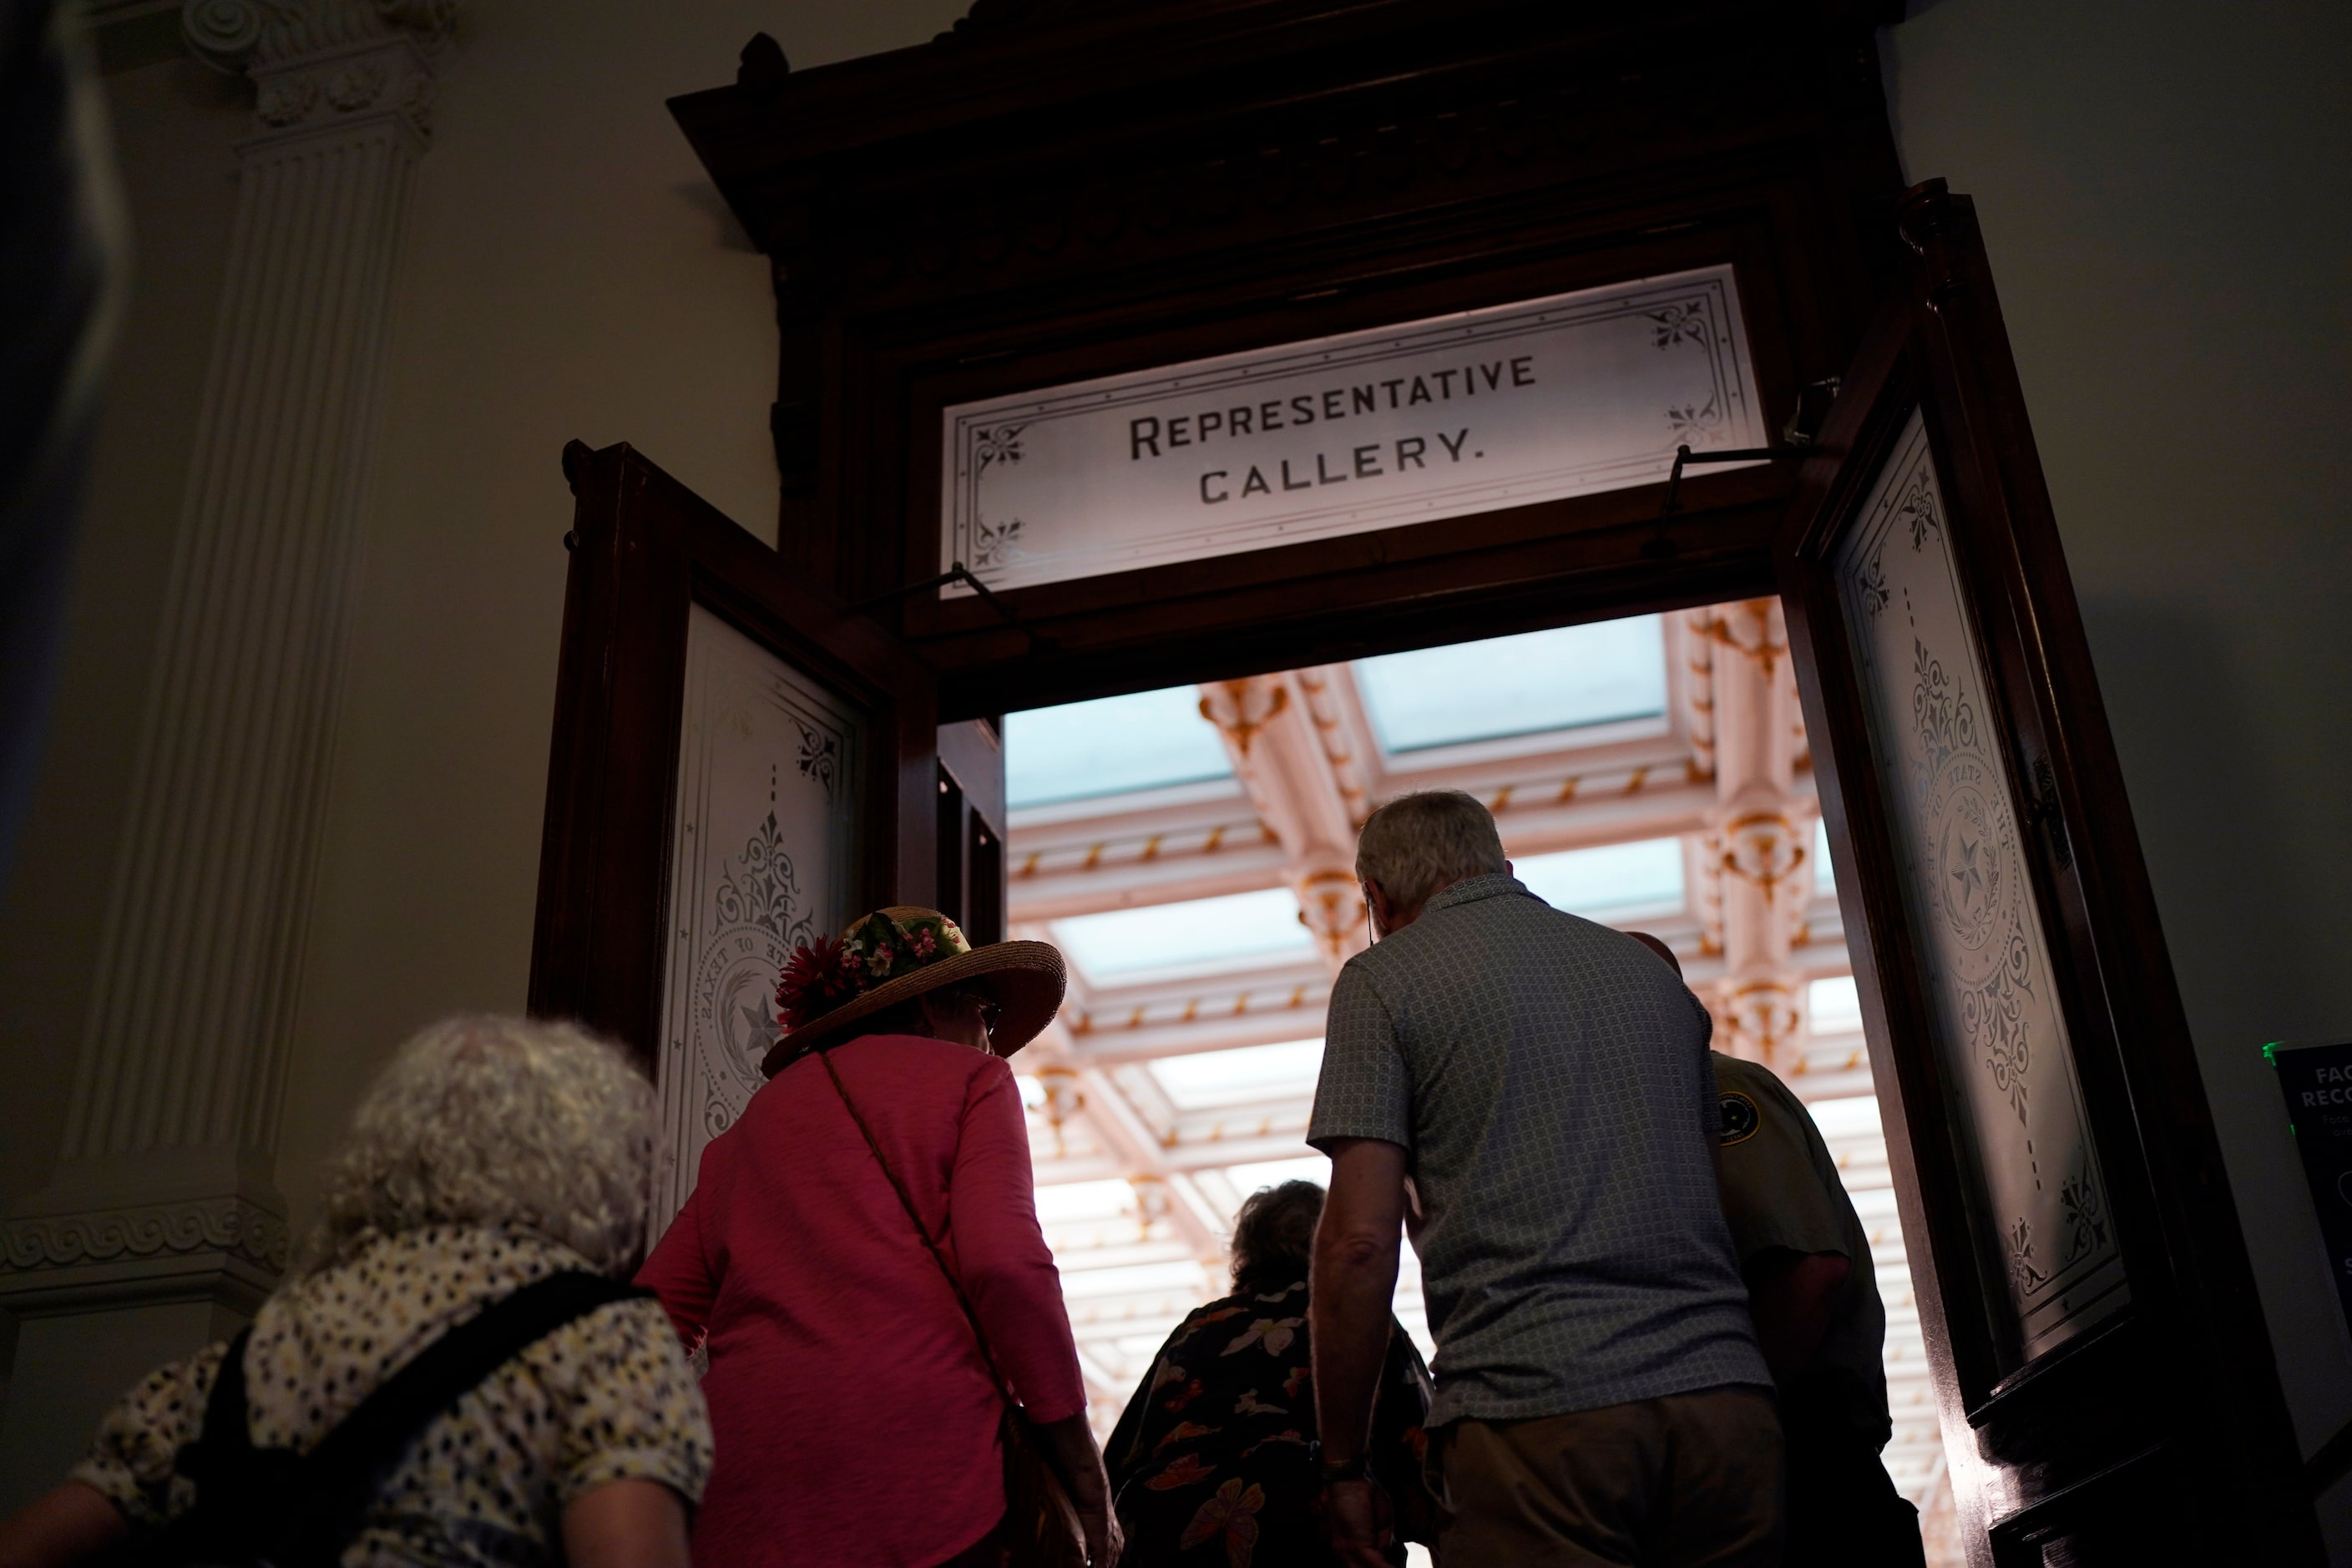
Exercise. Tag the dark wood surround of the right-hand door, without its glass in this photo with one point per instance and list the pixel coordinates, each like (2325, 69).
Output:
(1942, 349)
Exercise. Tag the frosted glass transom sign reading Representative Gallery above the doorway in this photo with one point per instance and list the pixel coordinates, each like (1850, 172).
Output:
(1363, 431)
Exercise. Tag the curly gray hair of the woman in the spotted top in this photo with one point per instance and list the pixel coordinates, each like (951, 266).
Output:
(500, 1123)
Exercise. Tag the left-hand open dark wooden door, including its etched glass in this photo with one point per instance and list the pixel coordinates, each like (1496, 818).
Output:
(740, 765)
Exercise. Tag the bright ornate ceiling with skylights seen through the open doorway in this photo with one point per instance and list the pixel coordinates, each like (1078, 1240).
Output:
(1191, 852)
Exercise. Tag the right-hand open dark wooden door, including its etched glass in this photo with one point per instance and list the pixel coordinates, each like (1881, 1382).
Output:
(2104, 1369)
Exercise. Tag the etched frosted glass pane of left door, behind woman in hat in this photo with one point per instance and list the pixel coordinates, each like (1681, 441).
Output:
(763, 857)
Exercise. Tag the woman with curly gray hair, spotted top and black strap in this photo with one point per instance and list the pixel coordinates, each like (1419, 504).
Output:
(457, 1318)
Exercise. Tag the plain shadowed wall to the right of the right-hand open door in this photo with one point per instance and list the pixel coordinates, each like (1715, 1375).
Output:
(2158, 182)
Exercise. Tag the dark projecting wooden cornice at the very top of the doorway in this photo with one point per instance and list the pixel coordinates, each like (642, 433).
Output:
(949, 168)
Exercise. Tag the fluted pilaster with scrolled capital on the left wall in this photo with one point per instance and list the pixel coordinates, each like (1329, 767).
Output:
(178, 1094)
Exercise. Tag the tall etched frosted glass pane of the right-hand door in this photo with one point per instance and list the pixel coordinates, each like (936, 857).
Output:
(1972, 906)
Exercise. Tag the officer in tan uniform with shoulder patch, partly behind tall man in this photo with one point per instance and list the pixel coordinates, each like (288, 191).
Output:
(1817, 1306)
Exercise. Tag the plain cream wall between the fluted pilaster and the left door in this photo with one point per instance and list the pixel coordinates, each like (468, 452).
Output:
(570, 274)
